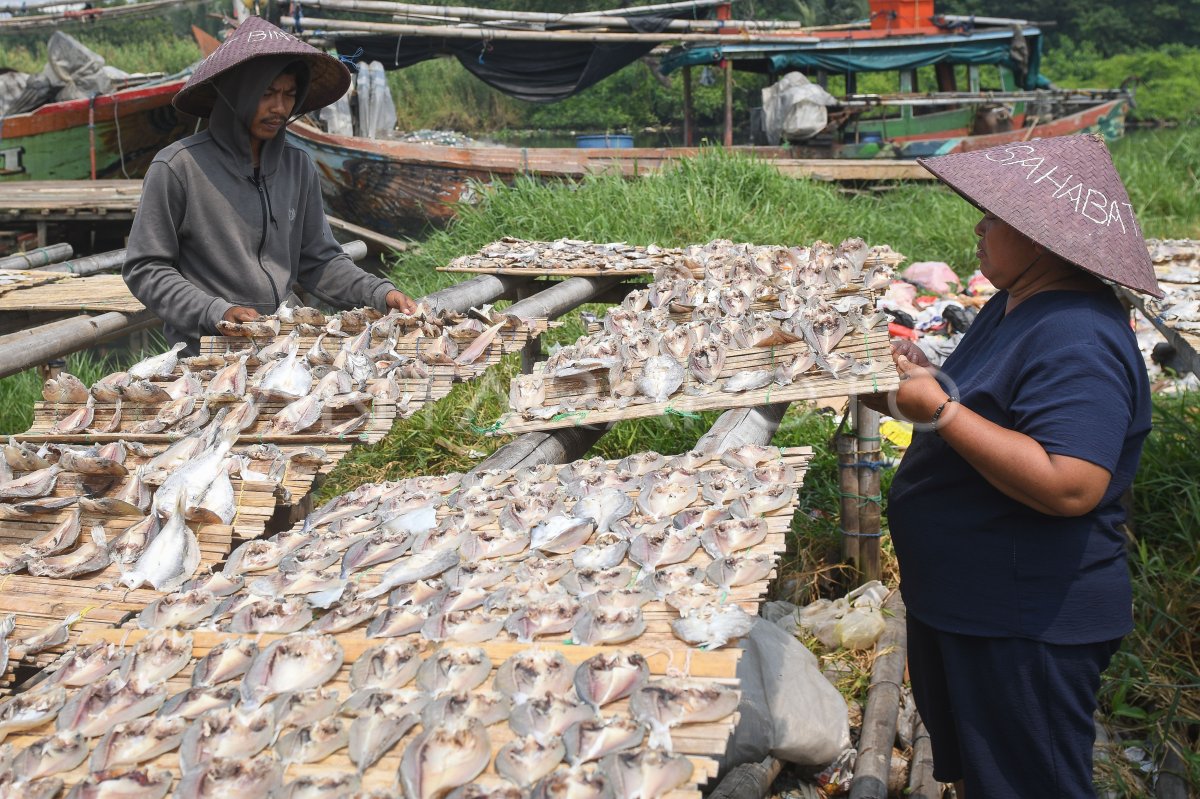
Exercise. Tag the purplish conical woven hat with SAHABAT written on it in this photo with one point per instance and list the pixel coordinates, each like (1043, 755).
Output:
(1064, 194)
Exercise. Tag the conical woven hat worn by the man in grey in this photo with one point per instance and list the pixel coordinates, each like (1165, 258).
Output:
(254, 39)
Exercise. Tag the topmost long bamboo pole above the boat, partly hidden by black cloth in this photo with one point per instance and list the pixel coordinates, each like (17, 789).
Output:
(465, 14)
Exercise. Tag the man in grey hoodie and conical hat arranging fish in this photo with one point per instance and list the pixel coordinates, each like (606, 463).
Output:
(231, 219)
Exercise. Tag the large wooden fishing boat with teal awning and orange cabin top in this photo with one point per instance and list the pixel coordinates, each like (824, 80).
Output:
(395, 187)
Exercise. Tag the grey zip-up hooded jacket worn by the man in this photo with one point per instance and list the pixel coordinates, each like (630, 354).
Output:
(211, 233)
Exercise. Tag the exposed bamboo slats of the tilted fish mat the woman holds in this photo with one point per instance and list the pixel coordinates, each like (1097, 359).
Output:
(814, 385)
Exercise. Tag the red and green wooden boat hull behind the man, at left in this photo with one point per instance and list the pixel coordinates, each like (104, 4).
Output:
(109, 136)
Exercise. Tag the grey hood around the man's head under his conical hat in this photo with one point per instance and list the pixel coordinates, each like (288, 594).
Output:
(239, 92)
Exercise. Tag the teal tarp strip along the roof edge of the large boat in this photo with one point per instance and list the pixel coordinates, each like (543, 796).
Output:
(839, 57)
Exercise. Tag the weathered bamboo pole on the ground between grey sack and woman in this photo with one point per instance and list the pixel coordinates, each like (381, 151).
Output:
(880, 718)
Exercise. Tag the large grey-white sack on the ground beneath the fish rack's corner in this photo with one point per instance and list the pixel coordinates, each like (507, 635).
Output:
(789, 710)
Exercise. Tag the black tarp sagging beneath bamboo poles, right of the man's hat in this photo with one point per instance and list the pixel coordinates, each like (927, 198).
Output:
(541, 73)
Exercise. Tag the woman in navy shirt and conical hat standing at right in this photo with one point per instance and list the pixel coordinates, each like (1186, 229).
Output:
(1006, 509)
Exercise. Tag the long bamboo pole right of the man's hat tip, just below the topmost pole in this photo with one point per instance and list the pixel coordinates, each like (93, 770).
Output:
(341, 28)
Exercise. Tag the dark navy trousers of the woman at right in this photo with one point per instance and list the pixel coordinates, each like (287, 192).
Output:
(1012, 718)
